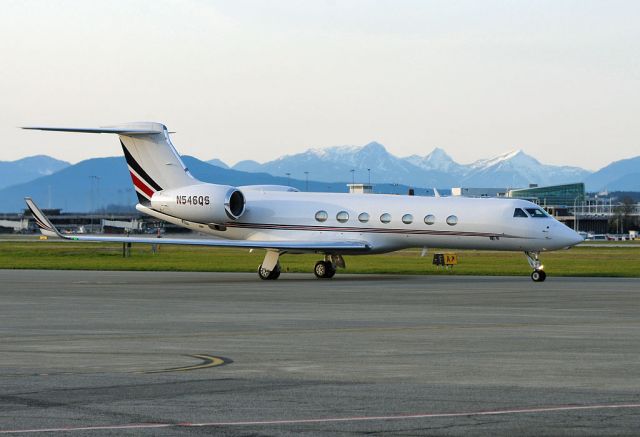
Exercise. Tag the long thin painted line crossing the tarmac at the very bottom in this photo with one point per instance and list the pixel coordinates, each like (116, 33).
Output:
(551, 409)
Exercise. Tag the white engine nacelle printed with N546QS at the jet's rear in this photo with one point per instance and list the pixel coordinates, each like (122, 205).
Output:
(203, 203)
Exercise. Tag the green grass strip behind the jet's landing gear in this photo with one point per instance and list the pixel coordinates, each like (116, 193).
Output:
(59, 255)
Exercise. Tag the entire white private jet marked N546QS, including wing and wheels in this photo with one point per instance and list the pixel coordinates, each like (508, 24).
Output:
(281, 219)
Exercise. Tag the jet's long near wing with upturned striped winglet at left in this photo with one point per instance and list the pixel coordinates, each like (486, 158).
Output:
(47, 228)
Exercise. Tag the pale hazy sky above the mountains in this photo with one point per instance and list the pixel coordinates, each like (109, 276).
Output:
(248, 79)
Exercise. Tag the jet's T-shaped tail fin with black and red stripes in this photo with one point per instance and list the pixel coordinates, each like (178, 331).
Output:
(153, 162)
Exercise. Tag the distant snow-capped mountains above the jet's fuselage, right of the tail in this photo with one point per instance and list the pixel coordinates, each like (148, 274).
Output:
(437, 169)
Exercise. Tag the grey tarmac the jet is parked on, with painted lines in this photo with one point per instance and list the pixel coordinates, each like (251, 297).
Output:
(147, 353)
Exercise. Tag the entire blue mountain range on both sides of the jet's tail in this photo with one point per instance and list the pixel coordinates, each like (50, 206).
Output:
(101, 182)
